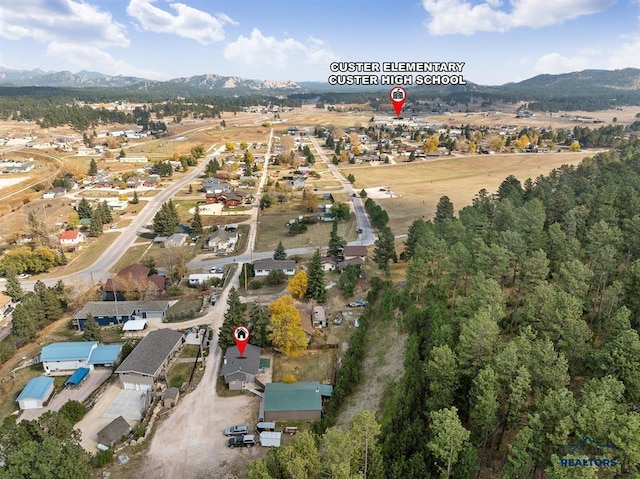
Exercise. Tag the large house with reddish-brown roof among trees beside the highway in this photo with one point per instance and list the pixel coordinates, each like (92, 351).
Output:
(131, 279)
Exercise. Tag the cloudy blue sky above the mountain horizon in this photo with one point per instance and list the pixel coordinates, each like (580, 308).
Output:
(499, 41)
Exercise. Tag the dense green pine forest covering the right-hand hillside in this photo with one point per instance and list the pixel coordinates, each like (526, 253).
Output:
(523, 354)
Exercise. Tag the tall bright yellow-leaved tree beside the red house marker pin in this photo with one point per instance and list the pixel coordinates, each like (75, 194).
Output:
(285, 331)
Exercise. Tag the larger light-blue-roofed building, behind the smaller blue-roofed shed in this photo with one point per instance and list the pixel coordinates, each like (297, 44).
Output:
(65, 358)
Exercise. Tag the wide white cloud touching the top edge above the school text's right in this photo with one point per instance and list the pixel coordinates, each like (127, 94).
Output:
(463, 17)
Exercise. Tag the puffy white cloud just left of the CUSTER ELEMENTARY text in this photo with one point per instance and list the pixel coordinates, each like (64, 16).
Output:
(260, 50)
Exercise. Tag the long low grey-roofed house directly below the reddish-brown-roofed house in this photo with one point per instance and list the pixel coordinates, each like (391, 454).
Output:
(109, 313)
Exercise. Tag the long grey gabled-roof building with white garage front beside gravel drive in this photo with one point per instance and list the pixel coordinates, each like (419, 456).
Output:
(150, 359)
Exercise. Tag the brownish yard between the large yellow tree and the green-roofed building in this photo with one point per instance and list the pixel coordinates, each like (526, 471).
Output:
(314, 365)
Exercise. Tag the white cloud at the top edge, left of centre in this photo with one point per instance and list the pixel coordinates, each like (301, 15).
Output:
(188, 22)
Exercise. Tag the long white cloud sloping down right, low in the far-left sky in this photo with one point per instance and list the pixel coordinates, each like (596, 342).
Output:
(87, 57)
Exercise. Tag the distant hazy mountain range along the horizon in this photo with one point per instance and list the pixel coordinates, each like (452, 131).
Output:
(587, 81)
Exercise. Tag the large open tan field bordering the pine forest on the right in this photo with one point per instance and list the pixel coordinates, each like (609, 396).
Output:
(420, 185)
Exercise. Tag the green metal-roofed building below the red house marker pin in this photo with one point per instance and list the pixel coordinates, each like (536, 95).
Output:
(294, 402)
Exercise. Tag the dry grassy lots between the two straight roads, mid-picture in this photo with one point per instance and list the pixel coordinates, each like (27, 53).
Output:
(272, 229)
